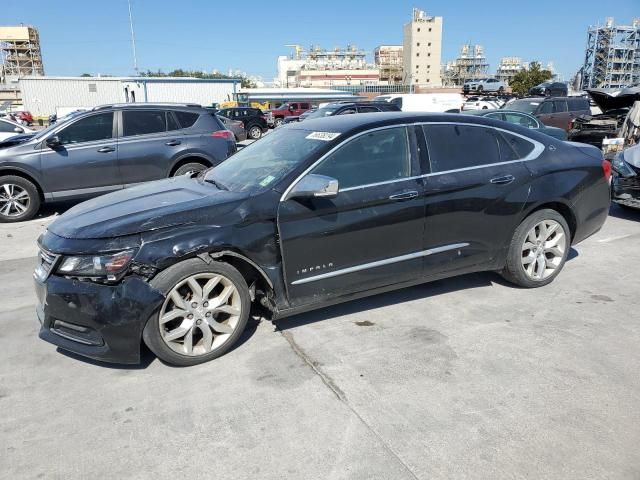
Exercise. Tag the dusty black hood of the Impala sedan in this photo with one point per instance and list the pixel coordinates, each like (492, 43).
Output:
(151, 206)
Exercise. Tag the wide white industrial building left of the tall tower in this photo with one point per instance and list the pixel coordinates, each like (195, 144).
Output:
(319, 67)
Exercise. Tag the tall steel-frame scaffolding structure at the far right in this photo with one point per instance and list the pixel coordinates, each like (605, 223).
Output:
(612, 57)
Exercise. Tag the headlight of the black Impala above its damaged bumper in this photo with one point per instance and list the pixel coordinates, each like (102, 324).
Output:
(108, 266)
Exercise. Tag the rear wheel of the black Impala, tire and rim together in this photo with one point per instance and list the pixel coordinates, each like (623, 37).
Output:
(538, 249)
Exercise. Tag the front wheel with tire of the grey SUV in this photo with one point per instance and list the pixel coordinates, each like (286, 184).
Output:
(19, 199)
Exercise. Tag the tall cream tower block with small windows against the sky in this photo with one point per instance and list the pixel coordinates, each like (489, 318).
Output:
(422, 50)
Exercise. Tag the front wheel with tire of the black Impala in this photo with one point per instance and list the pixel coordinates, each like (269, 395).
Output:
(204, 313)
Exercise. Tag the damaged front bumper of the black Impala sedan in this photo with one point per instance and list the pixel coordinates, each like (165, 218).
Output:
(103, 322)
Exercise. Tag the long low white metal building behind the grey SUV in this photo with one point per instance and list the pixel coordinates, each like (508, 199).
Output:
(43, 96)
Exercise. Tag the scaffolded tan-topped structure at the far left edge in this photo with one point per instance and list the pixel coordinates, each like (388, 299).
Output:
(20, 52)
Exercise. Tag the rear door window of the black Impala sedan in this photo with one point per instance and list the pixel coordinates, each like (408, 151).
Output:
(454, 147)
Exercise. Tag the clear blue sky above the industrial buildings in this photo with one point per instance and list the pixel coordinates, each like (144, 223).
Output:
(93, 36)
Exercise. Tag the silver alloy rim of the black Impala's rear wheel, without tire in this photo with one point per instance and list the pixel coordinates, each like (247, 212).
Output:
(543, 249)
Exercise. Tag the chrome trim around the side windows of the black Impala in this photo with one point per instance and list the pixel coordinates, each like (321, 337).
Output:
(533, 155)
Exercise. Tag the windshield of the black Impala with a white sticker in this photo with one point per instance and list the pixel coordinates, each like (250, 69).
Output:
(264, 163)
